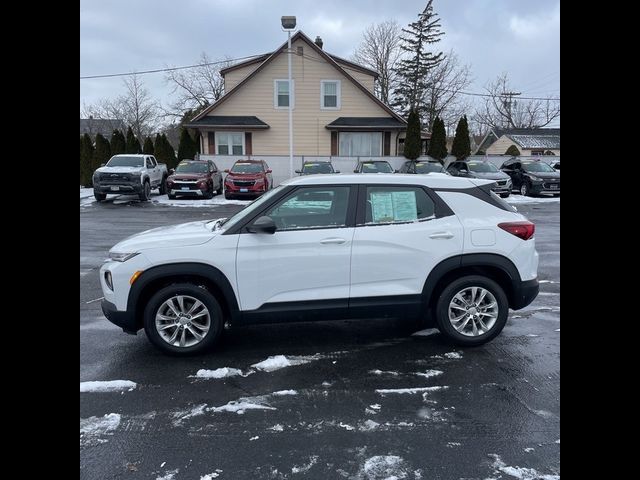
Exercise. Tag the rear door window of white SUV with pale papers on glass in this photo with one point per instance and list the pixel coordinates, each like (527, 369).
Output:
(397, 205)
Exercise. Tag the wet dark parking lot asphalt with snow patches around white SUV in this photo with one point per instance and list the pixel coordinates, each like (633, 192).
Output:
(361, 400)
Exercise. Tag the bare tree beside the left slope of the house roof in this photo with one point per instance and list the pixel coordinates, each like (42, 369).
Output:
(197, 87)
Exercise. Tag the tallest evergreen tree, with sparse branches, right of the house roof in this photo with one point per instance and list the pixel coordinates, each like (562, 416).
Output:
(412, 71)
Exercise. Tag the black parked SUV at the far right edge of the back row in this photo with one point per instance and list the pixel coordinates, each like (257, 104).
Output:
(532, 177)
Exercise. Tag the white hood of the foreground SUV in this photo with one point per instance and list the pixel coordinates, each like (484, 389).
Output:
(183, 235)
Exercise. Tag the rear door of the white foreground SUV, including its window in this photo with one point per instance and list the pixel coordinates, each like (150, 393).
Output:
(401, 233)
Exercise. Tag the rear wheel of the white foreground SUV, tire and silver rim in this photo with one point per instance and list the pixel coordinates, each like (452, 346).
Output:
(472, 310)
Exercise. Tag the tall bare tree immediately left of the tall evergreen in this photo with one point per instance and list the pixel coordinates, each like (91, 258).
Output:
(380, 51)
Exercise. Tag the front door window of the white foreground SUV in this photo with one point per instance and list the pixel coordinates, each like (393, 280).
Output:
(312, 207)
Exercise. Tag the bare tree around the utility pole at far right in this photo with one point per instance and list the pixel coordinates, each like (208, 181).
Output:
(502, 108)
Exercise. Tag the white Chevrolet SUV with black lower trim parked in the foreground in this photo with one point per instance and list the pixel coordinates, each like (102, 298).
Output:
(430, 247)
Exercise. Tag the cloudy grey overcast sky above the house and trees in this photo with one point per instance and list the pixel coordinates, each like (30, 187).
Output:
(521, 37)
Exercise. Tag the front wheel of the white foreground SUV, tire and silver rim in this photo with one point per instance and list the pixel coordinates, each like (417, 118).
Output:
(183, 319)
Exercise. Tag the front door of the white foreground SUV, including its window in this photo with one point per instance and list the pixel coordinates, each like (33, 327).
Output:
(308, 258)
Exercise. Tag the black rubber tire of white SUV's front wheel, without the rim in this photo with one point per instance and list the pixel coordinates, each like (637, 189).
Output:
(200, 293)
